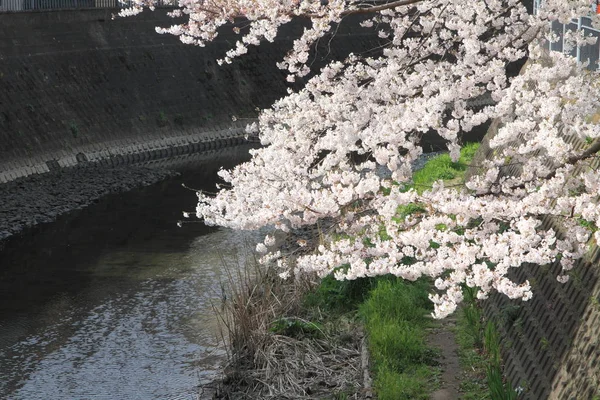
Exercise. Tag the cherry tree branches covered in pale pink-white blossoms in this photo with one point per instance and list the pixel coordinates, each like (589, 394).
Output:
(438, 56)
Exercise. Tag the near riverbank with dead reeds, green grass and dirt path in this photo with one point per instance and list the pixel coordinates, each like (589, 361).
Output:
(397, 350)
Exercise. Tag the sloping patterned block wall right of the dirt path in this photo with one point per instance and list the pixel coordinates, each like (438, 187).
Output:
(551, 343)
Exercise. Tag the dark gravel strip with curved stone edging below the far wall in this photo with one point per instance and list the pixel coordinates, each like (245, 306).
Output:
(42, 197)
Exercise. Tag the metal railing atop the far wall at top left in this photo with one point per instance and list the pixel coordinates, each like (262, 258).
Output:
(28, 5)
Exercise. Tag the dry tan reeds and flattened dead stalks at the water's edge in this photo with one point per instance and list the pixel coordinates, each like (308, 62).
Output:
(277, 351)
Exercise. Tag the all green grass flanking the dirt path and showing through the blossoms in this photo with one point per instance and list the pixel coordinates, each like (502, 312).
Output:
(396, 314)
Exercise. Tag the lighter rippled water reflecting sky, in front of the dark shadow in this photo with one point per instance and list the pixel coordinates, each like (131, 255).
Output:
(147, 332)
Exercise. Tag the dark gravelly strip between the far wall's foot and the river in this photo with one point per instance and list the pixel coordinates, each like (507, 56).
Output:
(41, 198)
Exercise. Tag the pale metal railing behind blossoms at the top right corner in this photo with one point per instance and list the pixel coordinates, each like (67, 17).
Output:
(588, 53)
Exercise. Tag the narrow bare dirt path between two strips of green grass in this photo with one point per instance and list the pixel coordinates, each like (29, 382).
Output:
(443, 339)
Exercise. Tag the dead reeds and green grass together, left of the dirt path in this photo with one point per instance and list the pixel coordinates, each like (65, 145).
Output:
(305, 338)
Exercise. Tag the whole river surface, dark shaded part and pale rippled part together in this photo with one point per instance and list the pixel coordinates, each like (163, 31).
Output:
(115, 301)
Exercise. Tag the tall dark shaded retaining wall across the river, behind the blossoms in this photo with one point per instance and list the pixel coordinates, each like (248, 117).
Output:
(78, 86)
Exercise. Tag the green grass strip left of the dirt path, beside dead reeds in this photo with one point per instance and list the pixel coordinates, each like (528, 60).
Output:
(395, 315)
